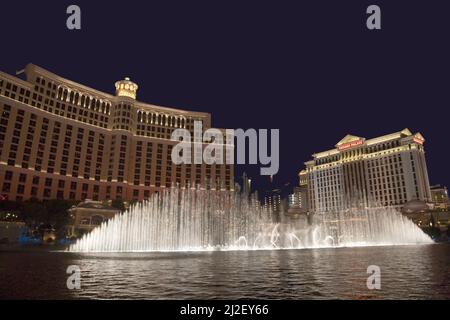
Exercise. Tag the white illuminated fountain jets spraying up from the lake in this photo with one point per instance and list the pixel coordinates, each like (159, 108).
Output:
(189, 219)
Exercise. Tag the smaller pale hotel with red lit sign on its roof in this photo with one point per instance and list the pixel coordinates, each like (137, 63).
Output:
(389, 171)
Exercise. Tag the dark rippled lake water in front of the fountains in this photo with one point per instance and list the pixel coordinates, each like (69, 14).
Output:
(407, 272)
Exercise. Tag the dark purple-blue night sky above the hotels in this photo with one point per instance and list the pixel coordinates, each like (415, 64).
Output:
(309, 68)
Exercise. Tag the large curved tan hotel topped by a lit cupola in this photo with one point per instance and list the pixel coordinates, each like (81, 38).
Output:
(63, 140)
